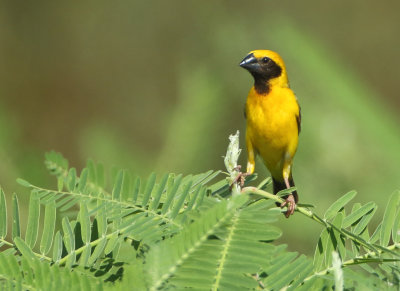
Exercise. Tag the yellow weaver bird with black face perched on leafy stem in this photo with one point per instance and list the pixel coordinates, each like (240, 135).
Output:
(273, 121)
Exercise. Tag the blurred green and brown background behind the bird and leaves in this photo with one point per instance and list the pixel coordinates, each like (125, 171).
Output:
(155, 85)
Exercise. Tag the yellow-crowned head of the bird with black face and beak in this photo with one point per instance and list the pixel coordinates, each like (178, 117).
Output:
(267, 68)
